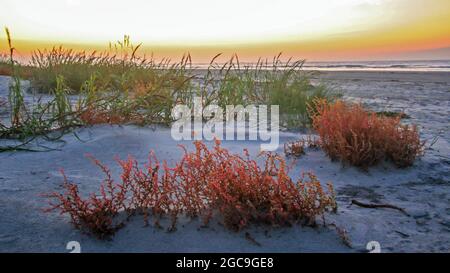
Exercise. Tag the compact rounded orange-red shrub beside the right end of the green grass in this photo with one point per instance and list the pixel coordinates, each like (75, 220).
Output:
(361, 138)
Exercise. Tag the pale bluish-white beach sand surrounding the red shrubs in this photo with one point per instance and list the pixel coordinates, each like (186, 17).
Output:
(423, 190)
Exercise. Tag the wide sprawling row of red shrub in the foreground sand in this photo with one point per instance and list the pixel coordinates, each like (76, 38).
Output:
(202, 183)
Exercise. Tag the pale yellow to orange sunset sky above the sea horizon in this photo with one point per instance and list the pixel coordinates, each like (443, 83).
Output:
(316, 30)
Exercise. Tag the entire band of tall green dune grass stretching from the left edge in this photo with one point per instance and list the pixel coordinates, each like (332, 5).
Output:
(118, 86)
